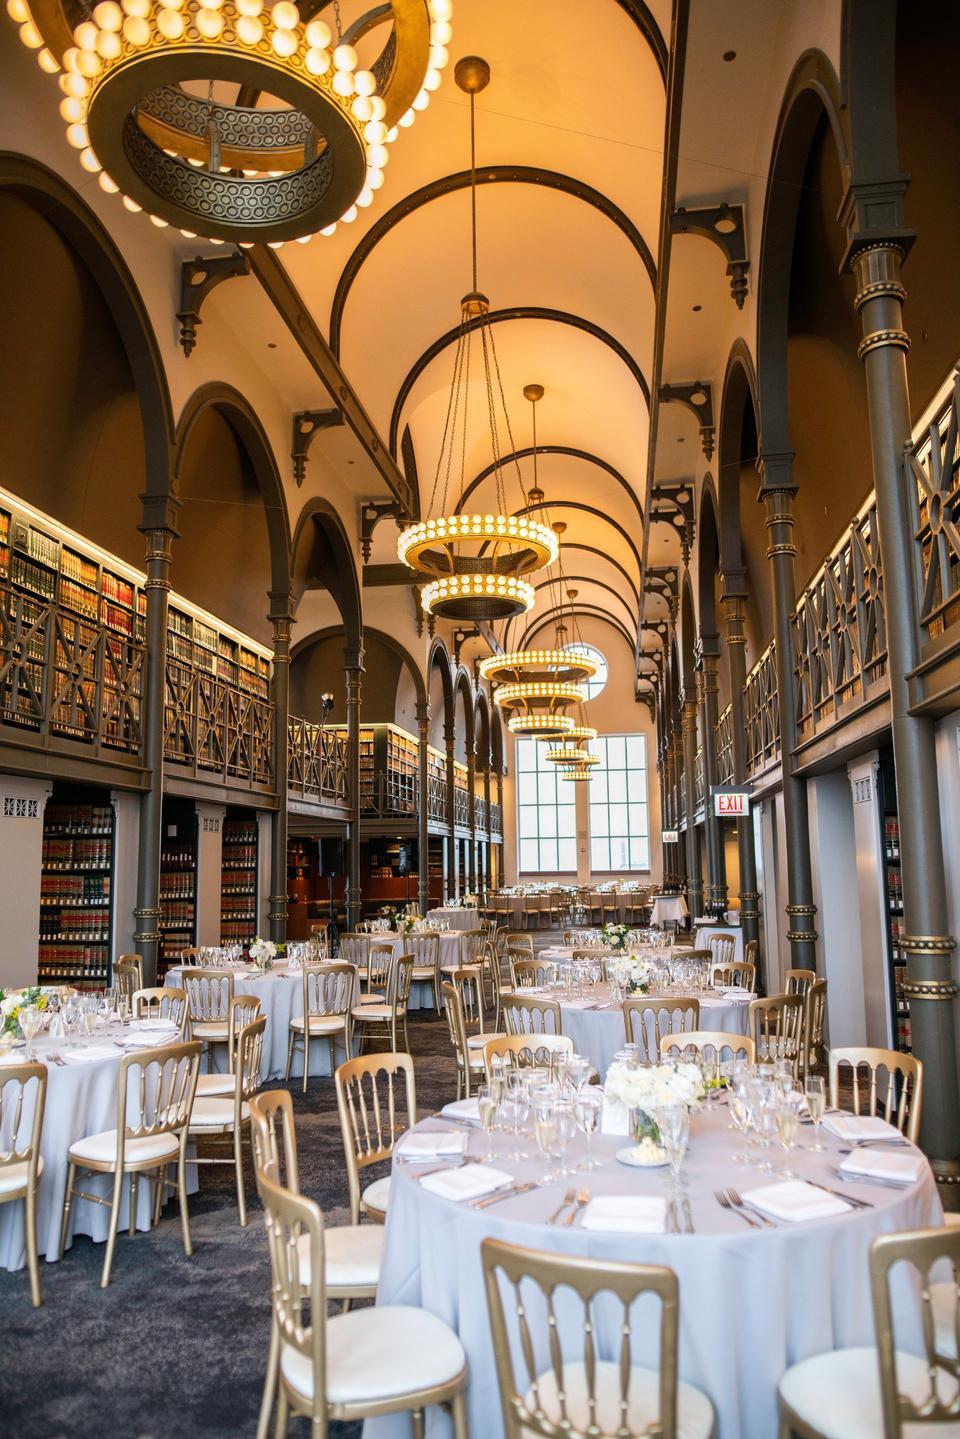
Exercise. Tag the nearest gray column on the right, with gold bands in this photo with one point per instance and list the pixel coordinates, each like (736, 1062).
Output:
(928, 945)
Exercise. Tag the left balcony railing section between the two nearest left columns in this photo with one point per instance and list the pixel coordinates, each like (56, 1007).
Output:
(217, 727)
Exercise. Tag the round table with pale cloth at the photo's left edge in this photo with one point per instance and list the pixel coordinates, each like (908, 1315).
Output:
(81, 1100)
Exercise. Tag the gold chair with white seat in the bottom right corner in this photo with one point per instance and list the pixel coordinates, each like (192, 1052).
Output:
(889, 1392)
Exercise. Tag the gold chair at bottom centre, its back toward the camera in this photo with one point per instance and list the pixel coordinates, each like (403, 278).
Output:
(545, 1312)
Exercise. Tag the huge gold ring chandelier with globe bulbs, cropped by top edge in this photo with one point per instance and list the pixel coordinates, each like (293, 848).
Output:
(160, 99)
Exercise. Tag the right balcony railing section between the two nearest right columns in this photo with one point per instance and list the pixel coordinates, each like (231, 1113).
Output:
(840, 628)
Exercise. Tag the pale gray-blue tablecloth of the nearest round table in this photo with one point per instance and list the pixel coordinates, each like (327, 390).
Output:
(752, 1302)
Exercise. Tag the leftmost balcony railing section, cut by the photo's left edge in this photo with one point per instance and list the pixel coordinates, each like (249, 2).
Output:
(68, 677)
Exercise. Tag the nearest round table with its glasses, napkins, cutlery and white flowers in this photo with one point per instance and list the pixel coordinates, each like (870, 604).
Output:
(769, 1245)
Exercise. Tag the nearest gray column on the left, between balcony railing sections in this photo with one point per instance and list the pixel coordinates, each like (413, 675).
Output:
(159, 527)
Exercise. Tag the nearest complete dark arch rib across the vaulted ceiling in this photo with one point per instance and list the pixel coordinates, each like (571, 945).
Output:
(450, 185)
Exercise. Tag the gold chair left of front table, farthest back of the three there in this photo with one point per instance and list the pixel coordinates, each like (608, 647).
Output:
(376, 1100)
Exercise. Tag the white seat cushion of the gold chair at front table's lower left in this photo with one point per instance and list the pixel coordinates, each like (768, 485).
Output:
(379, 1353)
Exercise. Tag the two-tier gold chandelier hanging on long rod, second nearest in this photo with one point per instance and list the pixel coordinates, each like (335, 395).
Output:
(476, 565)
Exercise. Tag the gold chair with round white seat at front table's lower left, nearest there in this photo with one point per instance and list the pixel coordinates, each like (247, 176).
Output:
(420, 1362)
